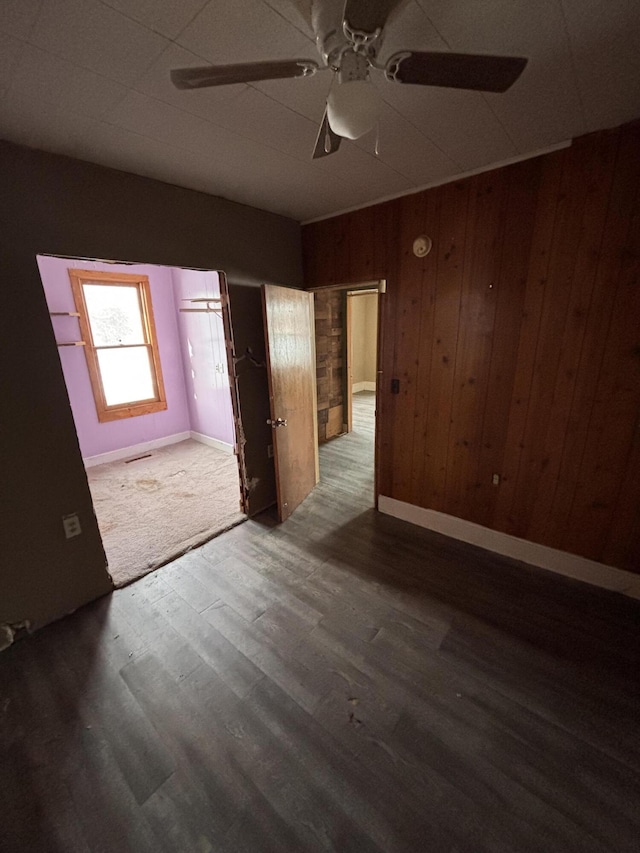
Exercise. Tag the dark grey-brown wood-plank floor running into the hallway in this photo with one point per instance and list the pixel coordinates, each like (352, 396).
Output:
(340, 682)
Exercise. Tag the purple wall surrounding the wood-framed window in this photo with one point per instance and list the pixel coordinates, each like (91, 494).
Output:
(94, 437)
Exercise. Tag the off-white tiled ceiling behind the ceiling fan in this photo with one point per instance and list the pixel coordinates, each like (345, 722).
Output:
(89, 78)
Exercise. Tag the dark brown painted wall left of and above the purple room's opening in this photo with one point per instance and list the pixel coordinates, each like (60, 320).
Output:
(51, 204)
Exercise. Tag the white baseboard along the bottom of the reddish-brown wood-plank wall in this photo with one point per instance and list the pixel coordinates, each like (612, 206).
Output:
(561, 562)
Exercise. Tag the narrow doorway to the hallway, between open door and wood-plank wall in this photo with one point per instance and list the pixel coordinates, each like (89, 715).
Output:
(348, 331)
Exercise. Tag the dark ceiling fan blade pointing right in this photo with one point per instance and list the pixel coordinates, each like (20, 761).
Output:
(455, 70)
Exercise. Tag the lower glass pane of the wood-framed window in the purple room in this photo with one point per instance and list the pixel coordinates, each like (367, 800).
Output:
(126, 375)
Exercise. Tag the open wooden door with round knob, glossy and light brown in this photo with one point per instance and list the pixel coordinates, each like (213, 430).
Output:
(291, 366)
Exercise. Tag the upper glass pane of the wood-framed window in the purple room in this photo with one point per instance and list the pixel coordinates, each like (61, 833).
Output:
(114, 314)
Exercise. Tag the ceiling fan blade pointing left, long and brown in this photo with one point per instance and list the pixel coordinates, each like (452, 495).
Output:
(247, 72)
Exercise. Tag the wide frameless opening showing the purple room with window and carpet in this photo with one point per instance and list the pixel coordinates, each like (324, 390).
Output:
(143, 350)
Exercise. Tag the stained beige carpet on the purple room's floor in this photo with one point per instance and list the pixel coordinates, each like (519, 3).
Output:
(154, 509)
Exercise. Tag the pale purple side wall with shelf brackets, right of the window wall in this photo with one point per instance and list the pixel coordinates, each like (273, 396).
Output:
(204, 356)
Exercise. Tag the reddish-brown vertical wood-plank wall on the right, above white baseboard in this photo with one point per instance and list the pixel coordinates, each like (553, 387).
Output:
(516, 342)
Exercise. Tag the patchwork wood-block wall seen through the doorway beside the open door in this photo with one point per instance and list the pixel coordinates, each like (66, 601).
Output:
(329, 357)
